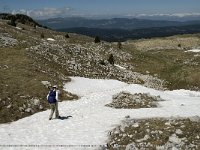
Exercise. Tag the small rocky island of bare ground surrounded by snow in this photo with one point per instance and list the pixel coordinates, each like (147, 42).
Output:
(127, 100)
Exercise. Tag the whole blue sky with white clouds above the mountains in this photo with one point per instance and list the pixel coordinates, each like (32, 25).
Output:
(90, 8)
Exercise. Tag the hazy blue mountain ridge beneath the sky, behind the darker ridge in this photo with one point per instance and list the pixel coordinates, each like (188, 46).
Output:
(114, 23)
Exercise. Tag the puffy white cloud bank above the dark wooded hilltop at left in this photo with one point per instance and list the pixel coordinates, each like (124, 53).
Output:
(45, 12)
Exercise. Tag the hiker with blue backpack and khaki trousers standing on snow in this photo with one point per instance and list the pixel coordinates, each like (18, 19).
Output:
(52, 98)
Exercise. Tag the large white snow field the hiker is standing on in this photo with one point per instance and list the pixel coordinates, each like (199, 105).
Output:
(91, 120)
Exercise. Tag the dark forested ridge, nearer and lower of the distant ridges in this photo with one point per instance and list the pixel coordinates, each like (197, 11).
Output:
(113, 35)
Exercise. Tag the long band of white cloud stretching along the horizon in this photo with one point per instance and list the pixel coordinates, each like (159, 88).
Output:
(45, 13)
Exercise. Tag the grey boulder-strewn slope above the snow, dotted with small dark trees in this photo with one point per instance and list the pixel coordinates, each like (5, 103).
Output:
(85, 59)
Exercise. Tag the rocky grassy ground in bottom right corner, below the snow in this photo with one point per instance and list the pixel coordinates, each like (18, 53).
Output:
(158, 133)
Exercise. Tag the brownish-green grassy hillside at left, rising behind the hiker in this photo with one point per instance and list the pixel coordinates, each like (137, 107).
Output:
(21, 75)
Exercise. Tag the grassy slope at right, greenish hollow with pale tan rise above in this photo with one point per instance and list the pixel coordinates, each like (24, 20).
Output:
(178, 68)
